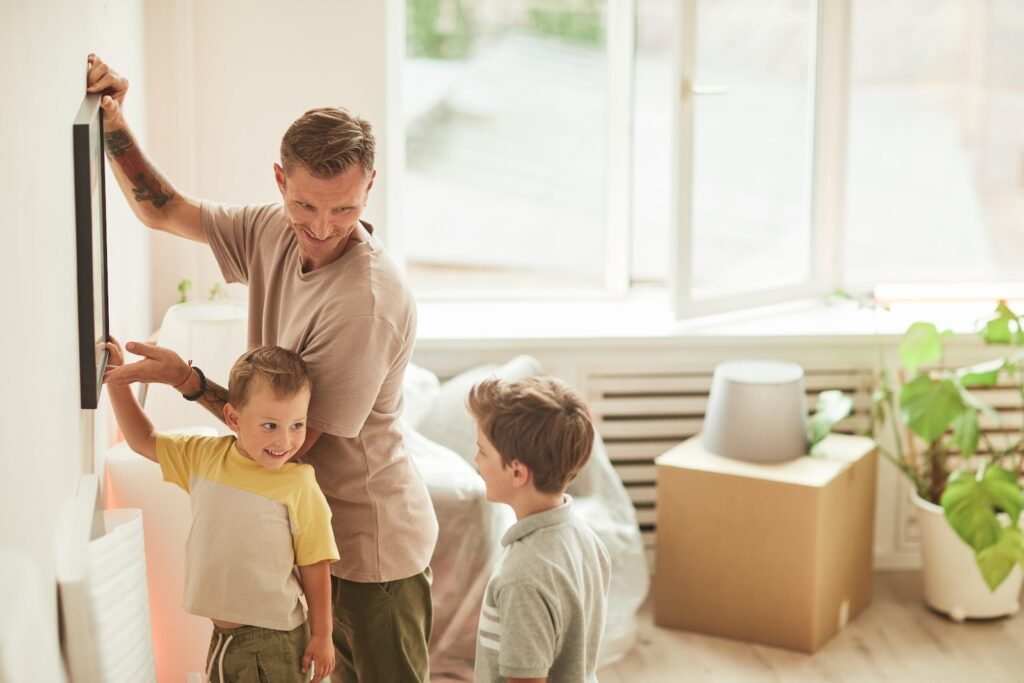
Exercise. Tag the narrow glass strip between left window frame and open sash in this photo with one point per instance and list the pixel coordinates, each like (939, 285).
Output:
(652, 129)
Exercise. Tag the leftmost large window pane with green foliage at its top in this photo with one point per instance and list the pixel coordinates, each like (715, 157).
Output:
(505, 108)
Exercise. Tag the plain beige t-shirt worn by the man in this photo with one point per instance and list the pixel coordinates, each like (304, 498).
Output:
(354, 322)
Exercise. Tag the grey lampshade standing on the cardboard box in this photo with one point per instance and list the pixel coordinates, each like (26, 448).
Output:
(757, 412)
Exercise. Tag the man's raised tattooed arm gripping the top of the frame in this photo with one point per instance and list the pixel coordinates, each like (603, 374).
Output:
(151, 196)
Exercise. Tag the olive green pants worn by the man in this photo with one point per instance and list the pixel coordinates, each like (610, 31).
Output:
(381, 631)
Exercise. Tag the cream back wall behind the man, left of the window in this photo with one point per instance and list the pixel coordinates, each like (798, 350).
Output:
(227, 79)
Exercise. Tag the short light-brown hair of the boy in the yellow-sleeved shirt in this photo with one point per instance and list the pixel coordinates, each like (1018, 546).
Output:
(280, 370)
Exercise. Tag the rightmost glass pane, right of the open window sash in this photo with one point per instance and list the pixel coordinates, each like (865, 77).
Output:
(935, 180)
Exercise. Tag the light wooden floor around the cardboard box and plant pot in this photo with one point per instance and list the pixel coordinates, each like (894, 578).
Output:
(897, 638)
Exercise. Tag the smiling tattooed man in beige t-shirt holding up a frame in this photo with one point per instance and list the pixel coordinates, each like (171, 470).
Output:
(319, 284)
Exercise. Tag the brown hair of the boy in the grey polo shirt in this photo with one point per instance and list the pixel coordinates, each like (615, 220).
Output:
(539, 421)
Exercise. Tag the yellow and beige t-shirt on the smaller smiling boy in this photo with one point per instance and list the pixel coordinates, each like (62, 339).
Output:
(251, 527)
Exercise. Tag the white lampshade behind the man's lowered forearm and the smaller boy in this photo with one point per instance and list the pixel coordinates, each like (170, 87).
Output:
(212, 334)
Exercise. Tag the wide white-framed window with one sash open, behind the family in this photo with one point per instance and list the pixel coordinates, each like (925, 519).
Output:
(737, 152)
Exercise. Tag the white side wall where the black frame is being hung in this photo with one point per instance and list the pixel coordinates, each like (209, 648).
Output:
(48, 440)
